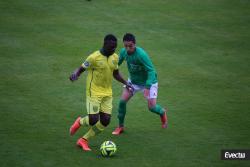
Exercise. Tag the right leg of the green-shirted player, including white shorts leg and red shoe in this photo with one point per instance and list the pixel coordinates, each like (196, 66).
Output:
(154, 107)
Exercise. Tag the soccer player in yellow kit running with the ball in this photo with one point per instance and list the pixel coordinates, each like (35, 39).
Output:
(102, 66)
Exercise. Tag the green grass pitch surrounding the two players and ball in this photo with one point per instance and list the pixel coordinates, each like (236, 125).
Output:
(199, 48)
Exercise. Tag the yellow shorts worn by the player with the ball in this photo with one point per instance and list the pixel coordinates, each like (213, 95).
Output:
(99, 104)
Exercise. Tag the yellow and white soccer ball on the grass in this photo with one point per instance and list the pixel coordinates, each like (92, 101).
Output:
(108, 148)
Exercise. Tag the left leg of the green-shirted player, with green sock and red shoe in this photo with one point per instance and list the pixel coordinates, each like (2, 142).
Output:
(126, 95)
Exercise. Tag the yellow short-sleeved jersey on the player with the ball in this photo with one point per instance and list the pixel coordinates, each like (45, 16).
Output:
(100, 73)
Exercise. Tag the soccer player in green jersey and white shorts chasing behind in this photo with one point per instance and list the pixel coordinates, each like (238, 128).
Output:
(142, 76)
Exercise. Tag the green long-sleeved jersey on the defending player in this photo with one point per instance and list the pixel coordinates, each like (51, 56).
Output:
(140, 67)
